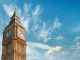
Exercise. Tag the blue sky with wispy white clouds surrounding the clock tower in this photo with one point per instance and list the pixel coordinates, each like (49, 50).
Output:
(53, 27)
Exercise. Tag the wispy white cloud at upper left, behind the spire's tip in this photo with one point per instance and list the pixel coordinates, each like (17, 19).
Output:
(9, 9)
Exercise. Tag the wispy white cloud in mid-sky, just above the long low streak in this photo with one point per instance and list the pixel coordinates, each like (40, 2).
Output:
(44, 33)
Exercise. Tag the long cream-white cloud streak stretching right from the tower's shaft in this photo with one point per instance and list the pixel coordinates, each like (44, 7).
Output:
(44, 46)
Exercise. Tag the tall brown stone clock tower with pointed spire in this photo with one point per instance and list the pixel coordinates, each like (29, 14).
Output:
(14, 40)
